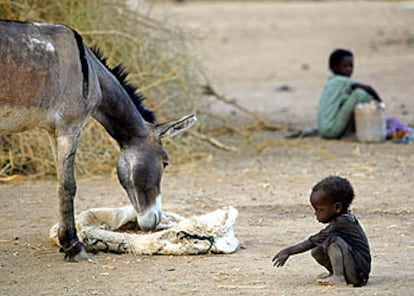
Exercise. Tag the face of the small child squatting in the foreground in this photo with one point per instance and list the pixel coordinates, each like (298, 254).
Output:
(325, 208)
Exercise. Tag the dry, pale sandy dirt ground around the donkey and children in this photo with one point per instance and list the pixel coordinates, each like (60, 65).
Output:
(250, 50)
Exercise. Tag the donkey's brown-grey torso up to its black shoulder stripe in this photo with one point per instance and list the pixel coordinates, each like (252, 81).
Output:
(41, 76)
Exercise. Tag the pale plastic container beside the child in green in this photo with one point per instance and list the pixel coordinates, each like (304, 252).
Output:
(370, 122)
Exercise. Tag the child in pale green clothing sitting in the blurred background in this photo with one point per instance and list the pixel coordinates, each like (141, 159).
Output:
(340, 96)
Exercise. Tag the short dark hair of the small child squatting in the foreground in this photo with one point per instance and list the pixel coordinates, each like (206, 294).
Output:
(338, 188)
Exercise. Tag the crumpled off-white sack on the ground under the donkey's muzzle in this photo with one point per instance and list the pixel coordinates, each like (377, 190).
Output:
(209, 233)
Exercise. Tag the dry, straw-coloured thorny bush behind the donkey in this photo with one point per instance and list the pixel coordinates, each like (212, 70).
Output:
(161, 59)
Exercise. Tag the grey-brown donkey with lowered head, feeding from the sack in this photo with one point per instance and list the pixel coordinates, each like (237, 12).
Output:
(50, 79)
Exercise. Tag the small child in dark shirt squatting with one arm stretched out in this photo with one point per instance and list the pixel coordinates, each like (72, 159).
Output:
(342, 247)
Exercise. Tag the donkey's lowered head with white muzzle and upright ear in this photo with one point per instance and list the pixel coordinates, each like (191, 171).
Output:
(140, 168)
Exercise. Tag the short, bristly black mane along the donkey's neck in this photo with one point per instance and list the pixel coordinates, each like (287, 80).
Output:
(121, 75)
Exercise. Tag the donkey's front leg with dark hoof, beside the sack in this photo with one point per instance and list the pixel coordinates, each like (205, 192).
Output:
(66, 151)
